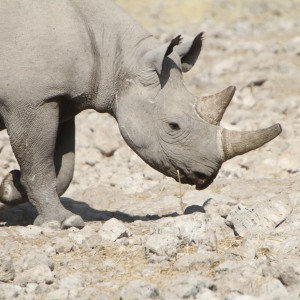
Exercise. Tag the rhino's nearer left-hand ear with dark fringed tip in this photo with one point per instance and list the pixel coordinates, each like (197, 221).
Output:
(154, 58)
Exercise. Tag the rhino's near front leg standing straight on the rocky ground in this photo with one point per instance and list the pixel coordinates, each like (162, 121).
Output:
(33, 138)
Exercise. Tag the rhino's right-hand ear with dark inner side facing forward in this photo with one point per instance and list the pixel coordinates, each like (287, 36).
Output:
(189, 52)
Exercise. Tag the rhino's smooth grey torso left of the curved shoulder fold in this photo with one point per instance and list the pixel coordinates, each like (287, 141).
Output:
(44, 50)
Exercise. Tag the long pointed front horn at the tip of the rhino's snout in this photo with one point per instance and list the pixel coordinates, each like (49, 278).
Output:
(239, 142)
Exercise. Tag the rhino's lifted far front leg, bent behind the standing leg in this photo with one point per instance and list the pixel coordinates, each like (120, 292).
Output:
(13, 193)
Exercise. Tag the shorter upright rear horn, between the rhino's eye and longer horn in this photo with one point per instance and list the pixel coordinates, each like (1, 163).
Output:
(211, 108)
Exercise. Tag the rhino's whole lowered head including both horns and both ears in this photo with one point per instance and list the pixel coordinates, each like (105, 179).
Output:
(174, 131)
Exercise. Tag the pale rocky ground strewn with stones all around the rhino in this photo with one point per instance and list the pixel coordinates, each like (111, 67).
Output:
(147, 237)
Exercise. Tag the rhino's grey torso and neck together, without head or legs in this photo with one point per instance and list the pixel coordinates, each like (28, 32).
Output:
(56, 47)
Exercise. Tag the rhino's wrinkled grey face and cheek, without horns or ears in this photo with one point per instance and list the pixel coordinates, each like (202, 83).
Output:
(173, 136)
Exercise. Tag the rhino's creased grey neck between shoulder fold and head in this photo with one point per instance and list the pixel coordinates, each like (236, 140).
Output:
(116, 43)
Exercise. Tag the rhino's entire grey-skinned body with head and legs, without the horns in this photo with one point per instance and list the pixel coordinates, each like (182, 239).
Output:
(60, 57)
